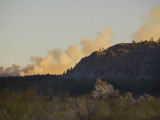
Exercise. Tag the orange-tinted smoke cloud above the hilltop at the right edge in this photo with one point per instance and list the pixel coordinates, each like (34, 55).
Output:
(150, 28)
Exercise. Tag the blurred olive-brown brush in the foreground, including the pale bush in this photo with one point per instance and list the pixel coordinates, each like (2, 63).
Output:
(104, 103)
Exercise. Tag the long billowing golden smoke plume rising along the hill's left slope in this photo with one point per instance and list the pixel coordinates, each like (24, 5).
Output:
(56, 62)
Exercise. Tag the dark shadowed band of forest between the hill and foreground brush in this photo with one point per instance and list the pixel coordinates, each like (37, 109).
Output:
(44, 84)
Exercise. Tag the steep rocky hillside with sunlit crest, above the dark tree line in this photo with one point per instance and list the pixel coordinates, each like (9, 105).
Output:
(125, 60)
